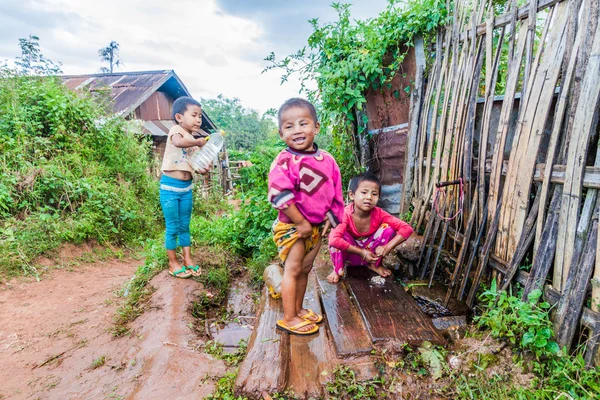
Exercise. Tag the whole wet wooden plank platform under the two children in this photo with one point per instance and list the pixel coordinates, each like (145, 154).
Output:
(356, 316)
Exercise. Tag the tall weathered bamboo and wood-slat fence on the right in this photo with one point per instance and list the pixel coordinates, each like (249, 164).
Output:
(530, 170)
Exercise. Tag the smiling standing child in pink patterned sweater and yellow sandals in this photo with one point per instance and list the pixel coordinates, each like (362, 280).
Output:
(305, 186)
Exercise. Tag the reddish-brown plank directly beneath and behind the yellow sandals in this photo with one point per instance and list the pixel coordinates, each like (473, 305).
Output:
(309, 367)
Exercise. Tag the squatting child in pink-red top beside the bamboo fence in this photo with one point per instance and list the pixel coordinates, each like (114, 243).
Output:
(367, 233)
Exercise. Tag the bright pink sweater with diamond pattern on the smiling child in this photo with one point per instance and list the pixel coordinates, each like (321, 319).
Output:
(309, 179)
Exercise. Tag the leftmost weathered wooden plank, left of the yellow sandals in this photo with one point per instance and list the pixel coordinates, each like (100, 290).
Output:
(266, 363)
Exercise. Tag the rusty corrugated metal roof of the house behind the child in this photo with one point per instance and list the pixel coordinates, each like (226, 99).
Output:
(130, 89)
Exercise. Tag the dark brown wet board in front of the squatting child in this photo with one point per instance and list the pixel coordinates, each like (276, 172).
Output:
(390, 313)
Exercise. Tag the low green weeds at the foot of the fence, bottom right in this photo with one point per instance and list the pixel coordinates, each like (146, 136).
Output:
(526, 325)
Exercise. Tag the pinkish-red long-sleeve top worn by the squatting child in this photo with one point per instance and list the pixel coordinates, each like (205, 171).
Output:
(378, 217)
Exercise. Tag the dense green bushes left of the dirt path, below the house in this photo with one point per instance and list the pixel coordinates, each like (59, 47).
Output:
(71, 171)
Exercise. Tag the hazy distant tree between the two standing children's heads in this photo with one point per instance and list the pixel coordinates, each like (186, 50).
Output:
(245, 127)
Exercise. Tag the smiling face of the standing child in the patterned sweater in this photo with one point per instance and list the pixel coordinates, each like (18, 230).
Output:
(298, 129)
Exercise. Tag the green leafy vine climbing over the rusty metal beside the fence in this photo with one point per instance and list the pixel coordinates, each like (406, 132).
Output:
(348, 57)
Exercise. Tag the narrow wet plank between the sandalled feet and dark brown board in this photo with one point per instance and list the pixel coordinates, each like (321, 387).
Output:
(347, 329)
